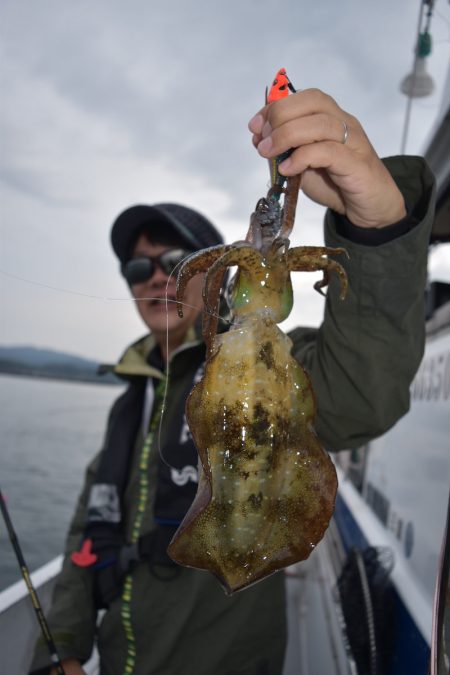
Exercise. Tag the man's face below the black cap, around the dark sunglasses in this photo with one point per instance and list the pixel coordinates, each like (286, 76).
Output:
(151, 295)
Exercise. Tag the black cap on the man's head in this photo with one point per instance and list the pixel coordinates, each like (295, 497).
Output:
(193, 228)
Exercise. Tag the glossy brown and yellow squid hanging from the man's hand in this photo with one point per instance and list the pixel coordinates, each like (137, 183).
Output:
(267, 487)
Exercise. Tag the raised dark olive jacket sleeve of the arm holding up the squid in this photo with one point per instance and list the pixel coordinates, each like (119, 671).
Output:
(365, 354)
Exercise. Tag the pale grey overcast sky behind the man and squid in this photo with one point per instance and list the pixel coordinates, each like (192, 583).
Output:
(106, 104)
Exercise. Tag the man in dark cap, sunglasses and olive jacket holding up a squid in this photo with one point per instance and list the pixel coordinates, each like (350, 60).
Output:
(163, 619)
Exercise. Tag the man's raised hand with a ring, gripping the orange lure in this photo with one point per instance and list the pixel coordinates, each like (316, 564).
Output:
(339, 167)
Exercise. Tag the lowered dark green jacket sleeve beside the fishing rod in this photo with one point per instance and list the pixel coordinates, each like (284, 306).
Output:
(72, 617)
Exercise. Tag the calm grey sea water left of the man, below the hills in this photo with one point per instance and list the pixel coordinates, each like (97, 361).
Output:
(49, 432)
